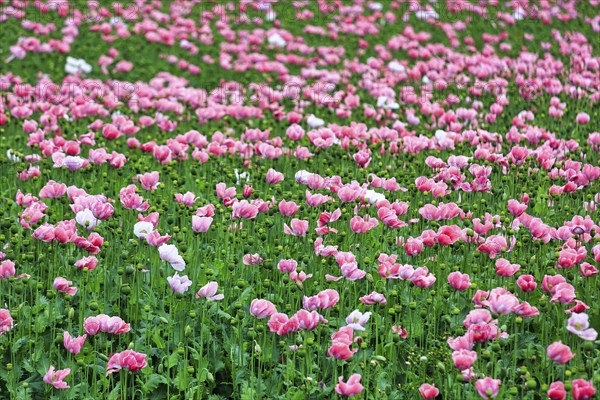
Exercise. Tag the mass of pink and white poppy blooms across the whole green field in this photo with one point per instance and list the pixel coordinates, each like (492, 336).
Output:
(374, 115)
